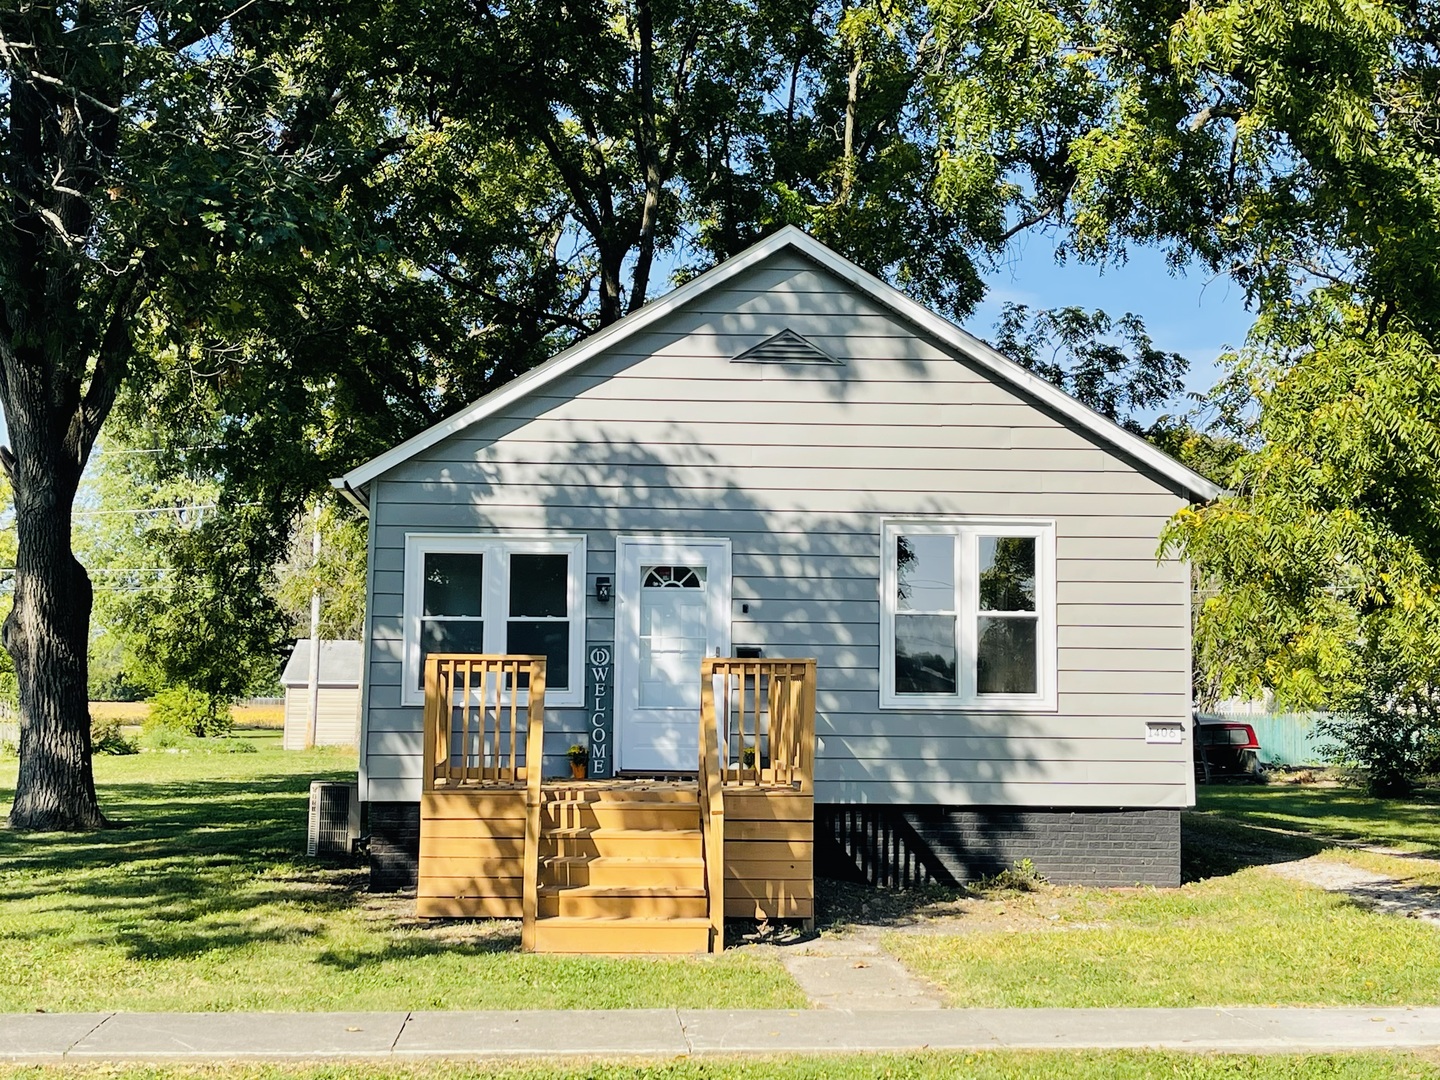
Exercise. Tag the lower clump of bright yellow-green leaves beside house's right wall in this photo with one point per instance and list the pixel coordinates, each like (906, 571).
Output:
(1326, 559)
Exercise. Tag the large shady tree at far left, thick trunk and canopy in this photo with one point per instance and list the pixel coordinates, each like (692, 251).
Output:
(145, 153)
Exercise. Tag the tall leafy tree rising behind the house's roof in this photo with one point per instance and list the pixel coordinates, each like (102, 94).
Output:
(544, 163)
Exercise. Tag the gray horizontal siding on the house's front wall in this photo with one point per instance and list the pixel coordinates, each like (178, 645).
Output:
(798, 467)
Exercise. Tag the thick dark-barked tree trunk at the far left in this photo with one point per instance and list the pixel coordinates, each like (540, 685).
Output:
(64, 348)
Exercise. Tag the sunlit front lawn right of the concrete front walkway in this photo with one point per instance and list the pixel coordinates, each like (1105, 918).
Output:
(1241, 937)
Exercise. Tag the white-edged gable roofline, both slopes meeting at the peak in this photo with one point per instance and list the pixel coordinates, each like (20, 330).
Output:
(1007, 372)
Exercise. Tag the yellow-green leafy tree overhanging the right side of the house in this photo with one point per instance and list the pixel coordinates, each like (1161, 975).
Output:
(1292, 148)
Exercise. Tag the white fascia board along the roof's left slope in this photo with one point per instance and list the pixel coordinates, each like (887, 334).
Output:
(568, 361)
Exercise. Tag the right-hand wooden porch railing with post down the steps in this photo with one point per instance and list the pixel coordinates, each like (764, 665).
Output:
(764, 705)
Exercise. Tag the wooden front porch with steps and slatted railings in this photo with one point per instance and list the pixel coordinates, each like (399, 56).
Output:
(626, 865)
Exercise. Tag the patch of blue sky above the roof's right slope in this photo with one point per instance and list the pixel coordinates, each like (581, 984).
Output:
(1190, 315)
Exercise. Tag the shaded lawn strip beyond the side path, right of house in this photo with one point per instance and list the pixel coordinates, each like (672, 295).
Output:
(1331, 813)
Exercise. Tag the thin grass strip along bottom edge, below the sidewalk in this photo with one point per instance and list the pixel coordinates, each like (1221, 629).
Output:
(931, 1066)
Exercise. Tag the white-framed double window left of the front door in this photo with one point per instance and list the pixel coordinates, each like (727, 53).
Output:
(519, 595)
